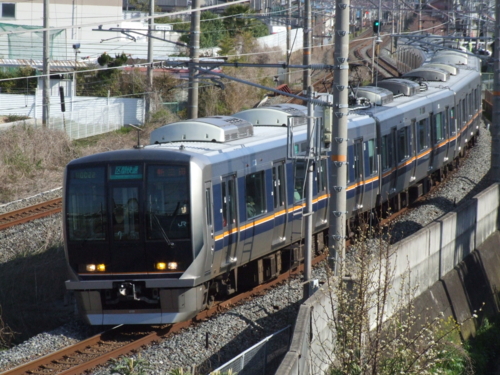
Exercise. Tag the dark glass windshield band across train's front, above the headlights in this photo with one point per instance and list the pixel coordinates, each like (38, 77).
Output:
(128, 202)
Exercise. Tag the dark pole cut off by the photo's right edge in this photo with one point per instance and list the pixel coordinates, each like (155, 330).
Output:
(495, 126)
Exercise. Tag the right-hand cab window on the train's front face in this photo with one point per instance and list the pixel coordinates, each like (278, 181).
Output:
(168, 205)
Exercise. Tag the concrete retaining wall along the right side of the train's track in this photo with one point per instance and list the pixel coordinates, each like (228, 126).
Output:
(450, 277)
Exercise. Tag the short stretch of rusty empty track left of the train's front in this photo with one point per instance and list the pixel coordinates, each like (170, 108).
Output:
(30, 213)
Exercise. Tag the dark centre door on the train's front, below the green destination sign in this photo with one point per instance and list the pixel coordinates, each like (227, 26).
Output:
(126, 234)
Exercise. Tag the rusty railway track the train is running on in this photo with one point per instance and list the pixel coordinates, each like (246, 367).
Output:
(122, 340)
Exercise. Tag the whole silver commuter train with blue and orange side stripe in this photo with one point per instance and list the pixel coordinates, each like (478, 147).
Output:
(213, 205)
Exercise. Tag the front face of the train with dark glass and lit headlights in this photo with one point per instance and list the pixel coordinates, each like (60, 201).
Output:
(129, 241)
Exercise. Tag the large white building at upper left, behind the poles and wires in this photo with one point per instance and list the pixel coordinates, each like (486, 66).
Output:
(74, 23)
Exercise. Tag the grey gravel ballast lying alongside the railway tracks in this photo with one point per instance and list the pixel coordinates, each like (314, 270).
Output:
(245, 325)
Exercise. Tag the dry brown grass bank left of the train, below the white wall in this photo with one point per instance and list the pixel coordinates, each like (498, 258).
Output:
(32, 160)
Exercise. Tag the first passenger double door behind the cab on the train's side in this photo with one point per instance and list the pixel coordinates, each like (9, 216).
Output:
(229, 218)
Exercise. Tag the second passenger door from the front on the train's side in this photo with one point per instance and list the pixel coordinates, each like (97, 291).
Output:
(279, 199)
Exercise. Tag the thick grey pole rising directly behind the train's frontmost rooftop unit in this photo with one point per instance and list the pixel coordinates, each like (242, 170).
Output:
(195, 59)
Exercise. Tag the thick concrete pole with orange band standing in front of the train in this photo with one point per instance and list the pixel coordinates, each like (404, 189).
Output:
(337, 211)
